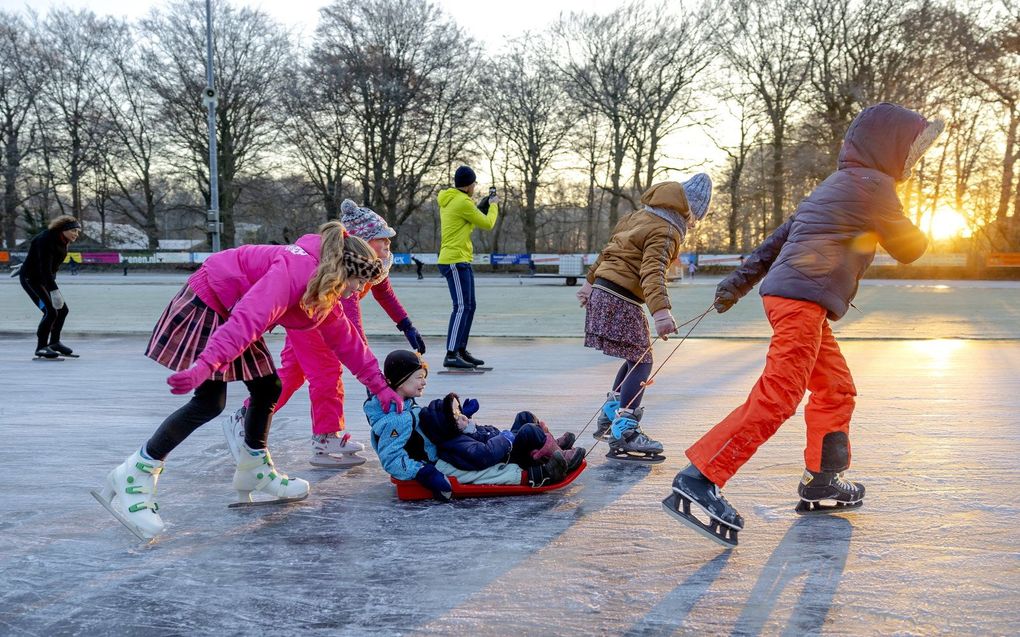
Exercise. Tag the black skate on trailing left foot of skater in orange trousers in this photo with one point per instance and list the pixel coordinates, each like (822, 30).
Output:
(691, 489)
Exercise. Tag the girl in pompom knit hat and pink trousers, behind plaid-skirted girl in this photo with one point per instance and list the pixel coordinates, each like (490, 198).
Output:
(308, 357)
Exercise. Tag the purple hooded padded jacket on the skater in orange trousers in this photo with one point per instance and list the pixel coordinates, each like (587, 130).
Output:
(822, 252)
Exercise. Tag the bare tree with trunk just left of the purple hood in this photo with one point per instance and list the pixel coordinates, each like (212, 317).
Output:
(771, 51)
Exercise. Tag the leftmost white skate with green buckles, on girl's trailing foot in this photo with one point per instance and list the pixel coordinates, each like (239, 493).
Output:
(130, 494)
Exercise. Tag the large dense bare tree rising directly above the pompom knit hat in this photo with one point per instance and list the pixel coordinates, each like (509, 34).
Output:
(403, 71)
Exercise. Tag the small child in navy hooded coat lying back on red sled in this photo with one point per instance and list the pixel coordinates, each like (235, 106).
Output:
(471, 447)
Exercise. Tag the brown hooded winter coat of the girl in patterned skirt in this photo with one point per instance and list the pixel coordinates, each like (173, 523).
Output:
(644, 245)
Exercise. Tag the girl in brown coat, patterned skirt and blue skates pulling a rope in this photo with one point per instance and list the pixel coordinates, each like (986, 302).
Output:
(631, 274)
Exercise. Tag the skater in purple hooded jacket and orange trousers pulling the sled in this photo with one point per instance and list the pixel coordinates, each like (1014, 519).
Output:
(810, 269)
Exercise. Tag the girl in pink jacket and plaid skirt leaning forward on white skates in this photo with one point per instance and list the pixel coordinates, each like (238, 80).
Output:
(212, 335)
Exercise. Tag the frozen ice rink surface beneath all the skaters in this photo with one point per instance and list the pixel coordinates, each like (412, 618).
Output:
(936, 550)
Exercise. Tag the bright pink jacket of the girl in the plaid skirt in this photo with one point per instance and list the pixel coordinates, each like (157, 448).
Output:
(259, 288)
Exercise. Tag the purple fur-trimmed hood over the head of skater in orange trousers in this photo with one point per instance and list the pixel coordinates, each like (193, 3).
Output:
(888, 138)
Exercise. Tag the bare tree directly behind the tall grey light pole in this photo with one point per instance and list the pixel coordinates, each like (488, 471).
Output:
(250, 54)
